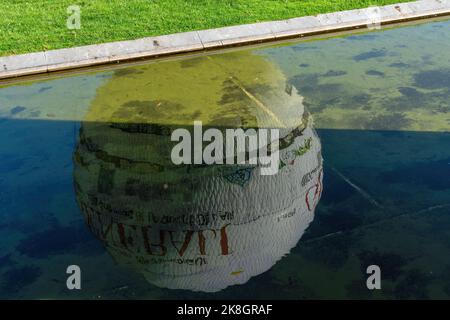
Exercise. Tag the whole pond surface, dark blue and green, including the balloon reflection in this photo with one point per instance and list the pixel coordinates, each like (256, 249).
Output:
(87, 178)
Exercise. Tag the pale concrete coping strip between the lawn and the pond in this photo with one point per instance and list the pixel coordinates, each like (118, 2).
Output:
(77, 57)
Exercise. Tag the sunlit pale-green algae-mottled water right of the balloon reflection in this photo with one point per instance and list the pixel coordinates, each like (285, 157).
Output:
(377, 67)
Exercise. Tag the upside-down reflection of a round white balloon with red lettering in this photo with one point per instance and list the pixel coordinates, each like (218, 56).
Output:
(195, 227)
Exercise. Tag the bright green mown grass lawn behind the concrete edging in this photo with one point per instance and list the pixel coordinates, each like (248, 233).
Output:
(27, 26)
